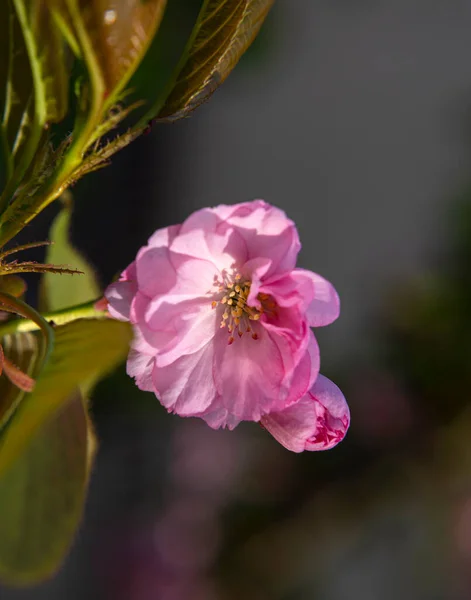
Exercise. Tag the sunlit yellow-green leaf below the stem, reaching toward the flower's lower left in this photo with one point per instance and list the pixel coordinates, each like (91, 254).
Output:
(84, 351)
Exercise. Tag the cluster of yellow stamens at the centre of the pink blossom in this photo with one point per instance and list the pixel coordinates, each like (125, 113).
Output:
(238, 316)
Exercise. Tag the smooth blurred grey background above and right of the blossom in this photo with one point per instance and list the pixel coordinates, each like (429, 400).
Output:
(356, 123)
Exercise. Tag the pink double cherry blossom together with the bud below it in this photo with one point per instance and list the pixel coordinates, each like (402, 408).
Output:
(222, 322)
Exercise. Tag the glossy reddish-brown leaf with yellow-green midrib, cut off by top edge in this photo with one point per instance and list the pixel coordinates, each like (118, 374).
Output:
(111, 37)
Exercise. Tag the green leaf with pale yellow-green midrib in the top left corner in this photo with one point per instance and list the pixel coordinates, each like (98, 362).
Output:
(36, 87)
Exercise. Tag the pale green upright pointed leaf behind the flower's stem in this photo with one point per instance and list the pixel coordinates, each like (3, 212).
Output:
(59, 291)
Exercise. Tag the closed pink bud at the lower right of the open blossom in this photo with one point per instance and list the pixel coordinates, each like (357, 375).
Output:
(318, 421)
